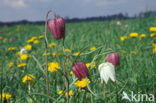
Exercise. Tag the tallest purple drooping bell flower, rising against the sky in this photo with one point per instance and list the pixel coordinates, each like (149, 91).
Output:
(57, 27)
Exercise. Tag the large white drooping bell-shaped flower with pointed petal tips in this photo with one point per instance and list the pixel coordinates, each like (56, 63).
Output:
(107, 71)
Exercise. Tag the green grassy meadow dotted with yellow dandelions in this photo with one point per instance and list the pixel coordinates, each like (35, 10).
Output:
(136, 72)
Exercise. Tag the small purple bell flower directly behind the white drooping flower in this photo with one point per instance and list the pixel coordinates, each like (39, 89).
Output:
(114, 58)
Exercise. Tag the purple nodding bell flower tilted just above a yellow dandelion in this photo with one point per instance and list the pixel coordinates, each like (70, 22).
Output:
(80, 70)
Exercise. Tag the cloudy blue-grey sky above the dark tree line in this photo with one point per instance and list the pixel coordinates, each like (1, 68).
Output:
(33, 10)
